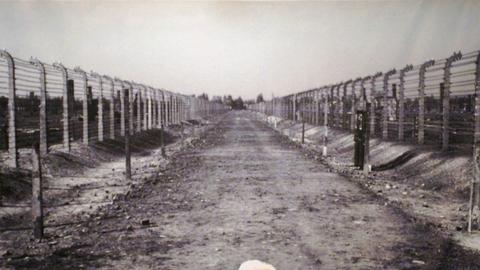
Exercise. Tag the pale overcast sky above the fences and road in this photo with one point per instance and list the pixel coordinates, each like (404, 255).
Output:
(239, 48)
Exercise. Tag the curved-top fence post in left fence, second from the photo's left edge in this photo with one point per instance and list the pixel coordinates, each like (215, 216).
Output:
(43, 107)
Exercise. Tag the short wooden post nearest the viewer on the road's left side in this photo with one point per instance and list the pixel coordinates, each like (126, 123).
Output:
(37, 198)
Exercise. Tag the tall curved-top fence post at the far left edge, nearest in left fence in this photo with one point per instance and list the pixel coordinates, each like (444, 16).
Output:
(12, 123)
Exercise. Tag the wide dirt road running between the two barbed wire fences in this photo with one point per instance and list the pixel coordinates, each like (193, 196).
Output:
(241, 194)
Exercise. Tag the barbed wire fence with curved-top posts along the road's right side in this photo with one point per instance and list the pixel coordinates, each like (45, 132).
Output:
(434, 103)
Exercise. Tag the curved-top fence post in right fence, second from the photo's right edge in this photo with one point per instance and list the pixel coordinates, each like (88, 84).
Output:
(446, 98)
